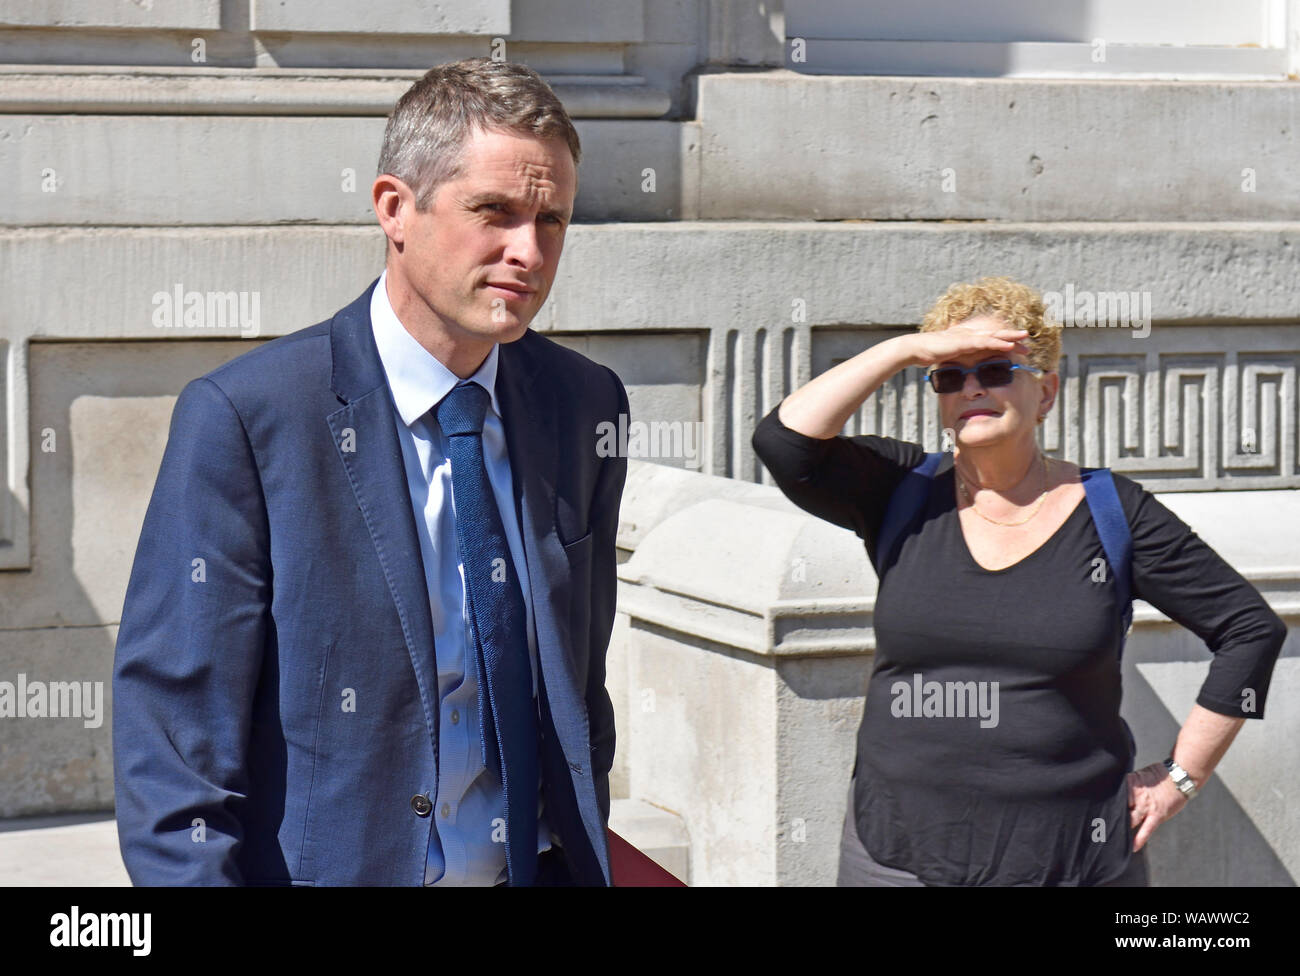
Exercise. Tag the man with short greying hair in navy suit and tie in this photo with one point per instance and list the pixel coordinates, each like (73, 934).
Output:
(367, 622)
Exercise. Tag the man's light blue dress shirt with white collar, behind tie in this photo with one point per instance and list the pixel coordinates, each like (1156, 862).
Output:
(470, 809)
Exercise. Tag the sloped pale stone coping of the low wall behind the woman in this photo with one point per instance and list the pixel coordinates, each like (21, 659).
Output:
(751, 571)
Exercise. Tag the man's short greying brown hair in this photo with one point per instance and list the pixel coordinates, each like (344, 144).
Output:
(426, 138)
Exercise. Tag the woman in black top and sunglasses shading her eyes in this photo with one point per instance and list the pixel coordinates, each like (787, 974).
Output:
(1032, 783)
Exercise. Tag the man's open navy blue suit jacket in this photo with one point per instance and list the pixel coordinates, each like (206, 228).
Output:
(279, 575)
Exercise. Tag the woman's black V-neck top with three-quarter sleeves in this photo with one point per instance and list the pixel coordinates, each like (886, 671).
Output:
(1035, 792)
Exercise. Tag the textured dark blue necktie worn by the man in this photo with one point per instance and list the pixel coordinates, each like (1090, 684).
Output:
(499, 624)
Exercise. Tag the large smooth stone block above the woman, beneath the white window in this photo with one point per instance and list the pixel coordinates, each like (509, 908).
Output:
(782, 145)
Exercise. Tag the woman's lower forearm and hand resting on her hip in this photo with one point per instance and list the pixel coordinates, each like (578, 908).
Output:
(1202, 744)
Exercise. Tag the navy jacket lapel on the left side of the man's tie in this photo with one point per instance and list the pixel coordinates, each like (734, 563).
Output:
(367, 444)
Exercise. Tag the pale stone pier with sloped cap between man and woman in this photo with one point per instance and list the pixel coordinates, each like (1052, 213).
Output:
(748, 650)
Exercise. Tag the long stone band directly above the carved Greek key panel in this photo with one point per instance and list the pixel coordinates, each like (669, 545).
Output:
(616, 277)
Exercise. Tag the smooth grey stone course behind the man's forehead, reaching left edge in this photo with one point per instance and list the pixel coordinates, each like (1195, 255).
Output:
(149, 170)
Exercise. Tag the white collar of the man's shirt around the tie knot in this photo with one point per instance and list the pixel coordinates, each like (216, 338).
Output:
(417, 379)
